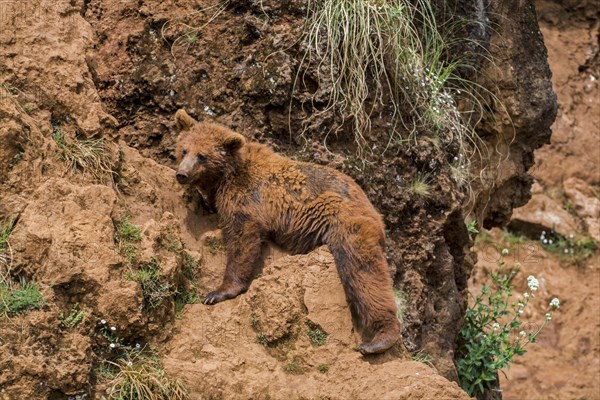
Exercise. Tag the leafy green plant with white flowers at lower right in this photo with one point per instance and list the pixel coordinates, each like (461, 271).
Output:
(493, 333)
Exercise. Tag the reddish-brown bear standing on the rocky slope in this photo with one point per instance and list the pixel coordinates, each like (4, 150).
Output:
(260, 195)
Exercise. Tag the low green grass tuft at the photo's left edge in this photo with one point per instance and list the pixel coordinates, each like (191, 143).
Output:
(19, 298)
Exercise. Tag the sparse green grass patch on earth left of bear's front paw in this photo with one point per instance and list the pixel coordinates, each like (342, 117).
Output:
(154, 287)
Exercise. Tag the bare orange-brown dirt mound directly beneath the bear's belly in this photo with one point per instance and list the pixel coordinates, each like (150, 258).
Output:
(258, 344)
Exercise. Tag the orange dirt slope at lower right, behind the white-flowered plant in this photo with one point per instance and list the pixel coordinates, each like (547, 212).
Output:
(565, 361)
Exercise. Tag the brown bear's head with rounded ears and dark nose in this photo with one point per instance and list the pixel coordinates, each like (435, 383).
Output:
(205, 151)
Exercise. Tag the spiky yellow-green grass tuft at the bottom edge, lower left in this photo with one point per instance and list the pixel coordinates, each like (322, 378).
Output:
(140, 376)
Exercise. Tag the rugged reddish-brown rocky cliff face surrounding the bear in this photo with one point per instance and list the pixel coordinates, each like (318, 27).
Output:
(118, 71)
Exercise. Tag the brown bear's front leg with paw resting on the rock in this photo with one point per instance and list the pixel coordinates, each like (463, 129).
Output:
(244, 244)
